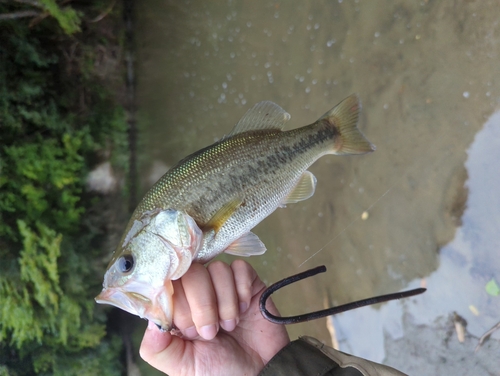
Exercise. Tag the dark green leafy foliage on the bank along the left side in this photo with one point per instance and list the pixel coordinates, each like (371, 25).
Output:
(57, 119)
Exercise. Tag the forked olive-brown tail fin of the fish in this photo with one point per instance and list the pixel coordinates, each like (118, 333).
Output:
(344, 119)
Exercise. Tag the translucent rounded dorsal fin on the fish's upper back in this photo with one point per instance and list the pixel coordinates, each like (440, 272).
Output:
(263, 115)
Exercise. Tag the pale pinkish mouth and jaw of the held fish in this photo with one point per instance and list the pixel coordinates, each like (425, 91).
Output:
(154, 304)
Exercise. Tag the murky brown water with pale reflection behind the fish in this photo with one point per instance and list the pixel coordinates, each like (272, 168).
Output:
(428, 76)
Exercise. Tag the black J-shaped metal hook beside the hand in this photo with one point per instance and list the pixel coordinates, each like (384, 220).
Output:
(325, 312)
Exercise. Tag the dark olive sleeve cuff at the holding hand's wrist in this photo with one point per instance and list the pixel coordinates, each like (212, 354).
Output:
(308, 356)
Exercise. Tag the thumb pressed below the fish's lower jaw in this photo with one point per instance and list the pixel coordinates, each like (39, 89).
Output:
(160, 349)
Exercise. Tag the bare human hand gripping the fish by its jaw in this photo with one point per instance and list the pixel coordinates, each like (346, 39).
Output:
(217, 310)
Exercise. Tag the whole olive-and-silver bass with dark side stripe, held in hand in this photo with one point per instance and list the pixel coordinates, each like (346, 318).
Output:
(209, 201)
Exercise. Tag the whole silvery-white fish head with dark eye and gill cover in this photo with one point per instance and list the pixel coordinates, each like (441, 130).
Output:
(158, 248)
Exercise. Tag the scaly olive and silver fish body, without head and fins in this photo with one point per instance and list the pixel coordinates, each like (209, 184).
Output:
(260, 166)
